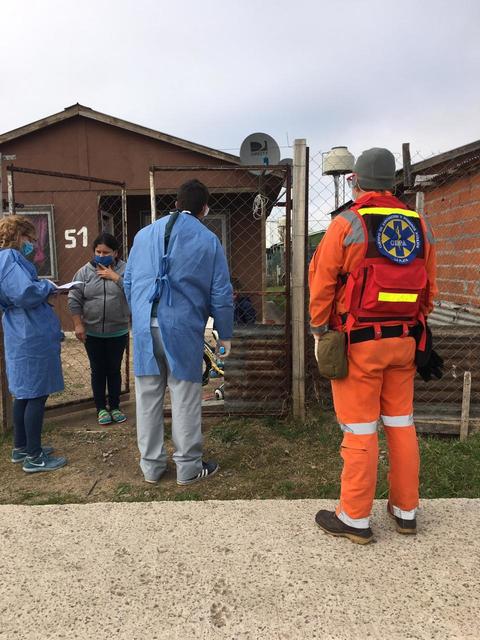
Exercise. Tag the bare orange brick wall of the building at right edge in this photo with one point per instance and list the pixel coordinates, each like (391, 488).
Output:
(453, 210)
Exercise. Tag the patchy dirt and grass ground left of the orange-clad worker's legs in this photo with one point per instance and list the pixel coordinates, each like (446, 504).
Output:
(264, 458)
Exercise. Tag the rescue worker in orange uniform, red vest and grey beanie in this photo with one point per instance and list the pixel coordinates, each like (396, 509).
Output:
(373, 277)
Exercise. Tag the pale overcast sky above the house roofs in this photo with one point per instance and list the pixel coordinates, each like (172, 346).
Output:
(362, 73)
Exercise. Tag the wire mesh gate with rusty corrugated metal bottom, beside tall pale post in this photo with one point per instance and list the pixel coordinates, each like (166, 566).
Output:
(242, 201)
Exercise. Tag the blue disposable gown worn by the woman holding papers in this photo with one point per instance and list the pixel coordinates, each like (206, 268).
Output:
(32, 331)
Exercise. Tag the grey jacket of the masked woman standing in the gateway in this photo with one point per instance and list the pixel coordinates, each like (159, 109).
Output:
(101, 303)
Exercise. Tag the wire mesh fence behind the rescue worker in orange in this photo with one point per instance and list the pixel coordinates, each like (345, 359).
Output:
(446, 188)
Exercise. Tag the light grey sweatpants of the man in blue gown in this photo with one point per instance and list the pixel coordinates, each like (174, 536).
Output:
(186, 400)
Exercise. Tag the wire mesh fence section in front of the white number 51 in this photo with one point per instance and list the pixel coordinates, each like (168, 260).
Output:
(68, 212)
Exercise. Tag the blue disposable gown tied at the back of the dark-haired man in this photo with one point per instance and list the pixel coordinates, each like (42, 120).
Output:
(193, 283)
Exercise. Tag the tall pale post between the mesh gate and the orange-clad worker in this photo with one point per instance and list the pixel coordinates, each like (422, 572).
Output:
(298, 277)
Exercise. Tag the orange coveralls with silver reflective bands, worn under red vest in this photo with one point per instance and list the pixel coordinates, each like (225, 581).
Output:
(380, 377)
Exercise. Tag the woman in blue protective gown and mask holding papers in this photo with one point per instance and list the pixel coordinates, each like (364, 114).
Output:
(32, 337)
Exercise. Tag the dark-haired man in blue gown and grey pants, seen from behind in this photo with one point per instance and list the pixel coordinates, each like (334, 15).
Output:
(176, 277)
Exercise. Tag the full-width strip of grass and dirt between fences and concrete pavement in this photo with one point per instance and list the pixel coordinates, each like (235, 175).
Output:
(260, 458)
